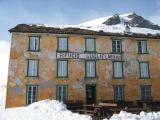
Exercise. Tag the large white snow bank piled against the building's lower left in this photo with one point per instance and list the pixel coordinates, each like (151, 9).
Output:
(42, 110)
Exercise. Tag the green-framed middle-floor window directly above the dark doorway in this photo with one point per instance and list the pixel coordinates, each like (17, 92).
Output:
(90, 69)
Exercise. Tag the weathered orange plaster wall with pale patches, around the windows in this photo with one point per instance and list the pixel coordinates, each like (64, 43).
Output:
(47, 80)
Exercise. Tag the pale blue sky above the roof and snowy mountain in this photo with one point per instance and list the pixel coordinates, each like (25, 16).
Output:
(13, 12)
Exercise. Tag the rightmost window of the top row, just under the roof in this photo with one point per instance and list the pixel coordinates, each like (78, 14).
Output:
(142, 47)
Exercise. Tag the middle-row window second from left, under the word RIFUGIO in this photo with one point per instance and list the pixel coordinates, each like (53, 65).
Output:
(62, 68)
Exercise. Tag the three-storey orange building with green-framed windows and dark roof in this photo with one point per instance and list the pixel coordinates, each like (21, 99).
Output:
(79, 64)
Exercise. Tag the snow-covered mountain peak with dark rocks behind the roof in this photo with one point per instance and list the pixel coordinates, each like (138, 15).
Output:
(132, 19)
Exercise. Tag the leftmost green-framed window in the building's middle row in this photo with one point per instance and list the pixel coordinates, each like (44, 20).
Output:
(33, 66)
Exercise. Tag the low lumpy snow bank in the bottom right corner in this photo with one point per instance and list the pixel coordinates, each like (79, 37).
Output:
(142, 116)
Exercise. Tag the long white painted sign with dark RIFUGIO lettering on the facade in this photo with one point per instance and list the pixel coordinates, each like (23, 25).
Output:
(89, 56)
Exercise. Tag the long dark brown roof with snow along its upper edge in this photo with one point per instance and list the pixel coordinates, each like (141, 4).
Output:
(33, 28)
